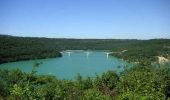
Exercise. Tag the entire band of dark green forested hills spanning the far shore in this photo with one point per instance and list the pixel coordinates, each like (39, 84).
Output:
(21, 48)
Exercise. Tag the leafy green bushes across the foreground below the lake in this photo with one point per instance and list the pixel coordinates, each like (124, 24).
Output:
(141, 82)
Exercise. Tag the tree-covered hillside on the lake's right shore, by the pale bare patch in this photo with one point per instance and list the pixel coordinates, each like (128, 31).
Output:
(146, 50)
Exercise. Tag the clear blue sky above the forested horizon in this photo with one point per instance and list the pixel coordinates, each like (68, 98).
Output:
(124, 19)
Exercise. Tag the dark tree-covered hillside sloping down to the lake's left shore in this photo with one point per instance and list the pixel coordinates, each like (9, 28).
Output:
(16, 48)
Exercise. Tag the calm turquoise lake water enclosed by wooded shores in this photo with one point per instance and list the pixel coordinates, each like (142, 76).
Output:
(70, 64)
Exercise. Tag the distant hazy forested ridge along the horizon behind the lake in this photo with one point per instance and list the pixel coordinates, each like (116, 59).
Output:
(65, 44)
